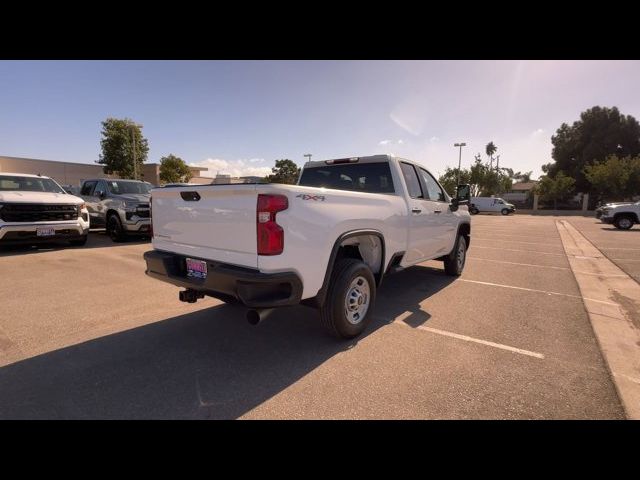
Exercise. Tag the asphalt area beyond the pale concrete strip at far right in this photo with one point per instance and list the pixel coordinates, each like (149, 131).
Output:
(622, 247)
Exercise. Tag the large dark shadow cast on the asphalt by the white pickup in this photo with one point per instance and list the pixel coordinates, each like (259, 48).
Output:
(206, 364)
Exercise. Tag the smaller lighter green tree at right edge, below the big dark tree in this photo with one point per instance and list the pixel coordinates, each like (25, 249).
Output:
(615, 178)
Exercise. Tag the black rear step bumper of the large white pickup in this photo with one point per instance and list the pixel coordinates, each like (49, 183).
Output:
(228, 282)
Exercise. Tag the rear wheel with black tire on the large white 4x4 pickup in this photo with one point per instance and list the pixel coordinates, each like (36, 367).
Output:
(333, 313)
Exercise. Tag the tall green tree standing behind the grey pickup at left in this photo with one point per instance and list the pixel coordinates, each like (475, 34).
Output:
(118, 139)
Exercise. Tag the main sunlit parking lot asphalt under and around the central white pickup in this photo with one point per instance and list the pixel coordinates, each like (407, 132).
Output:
(85, 334)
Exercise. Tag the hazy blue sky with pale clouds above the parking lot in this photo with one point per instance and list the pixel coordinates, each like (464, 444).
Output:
(238, 117)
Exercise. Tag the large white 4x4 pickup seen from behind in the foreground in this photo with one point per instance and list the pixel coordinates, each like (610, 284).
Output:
(326, 242)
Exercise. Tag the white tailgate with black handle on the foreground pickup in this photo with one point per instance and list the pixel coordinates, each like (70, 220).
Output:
(213, 222)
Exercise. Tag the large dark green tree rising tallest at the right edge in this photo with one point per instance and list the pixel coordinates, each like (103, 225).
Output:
(600, 132)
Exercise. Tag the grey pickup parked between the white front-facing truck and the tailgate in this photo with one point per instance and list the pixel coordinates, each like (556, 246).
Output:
(120, 206)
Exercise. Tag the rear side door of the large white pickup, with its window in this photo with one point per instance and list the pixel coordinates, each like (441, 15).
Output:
(421, 241)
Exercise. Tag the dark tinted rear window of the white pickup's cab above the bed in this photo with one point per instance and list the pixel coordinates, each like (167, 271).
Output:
(364, 177)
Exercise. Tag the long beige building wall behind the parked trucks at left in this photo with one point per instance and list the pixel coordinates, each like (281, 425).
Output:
(69, 173)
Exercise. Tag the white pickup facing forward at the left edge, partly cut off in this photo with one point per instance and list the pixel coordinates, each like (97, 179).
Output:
(35, 209)
